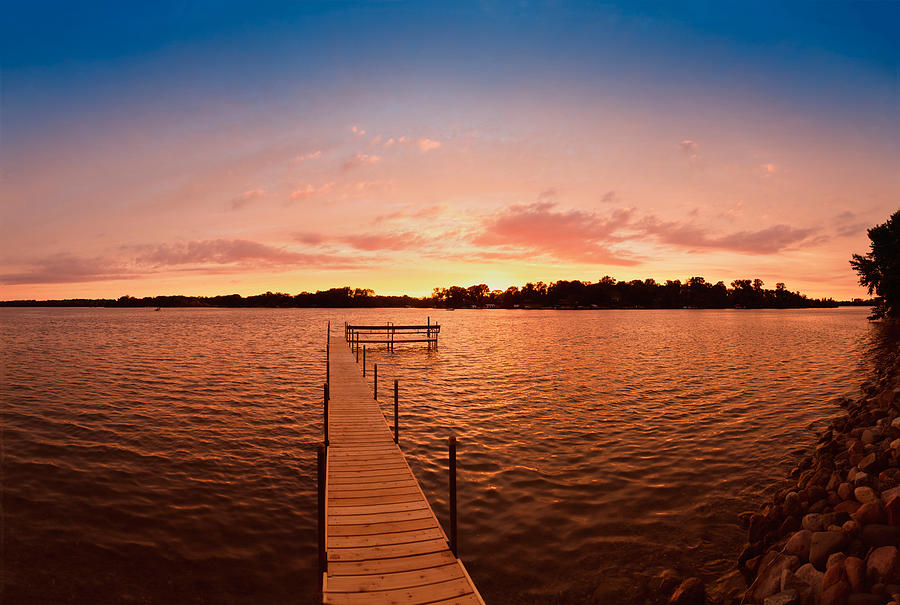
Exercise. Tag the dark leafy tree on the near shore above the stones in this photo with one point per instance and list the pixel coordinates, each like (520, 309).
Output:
(879, 270)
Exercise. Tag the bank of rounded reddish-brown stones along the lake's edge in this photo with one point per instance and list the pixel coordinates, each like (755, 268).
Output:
(832, 536)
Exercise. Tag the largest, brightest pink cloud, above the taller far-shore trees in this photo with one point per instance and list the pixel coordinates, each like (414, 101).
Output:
(573, 235)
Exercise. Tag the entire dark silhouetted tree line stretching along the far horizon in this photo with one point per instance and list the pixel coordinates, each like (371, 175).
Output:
(604, 294)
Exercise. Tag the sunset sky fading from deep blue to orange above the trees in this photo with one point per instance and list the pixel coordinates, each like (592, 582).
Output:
(212, 147)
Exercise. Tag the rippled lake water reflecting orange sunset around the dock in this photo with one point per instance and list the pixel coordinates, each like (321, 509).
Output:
(170, 457)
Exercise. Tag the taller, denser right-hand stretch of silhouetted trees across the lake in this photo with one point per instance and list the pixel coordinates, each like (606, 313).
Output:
(609, 293)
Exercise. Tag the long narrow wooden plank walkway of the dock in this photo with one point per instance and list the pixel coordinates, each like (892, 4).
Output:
(383, 542)
